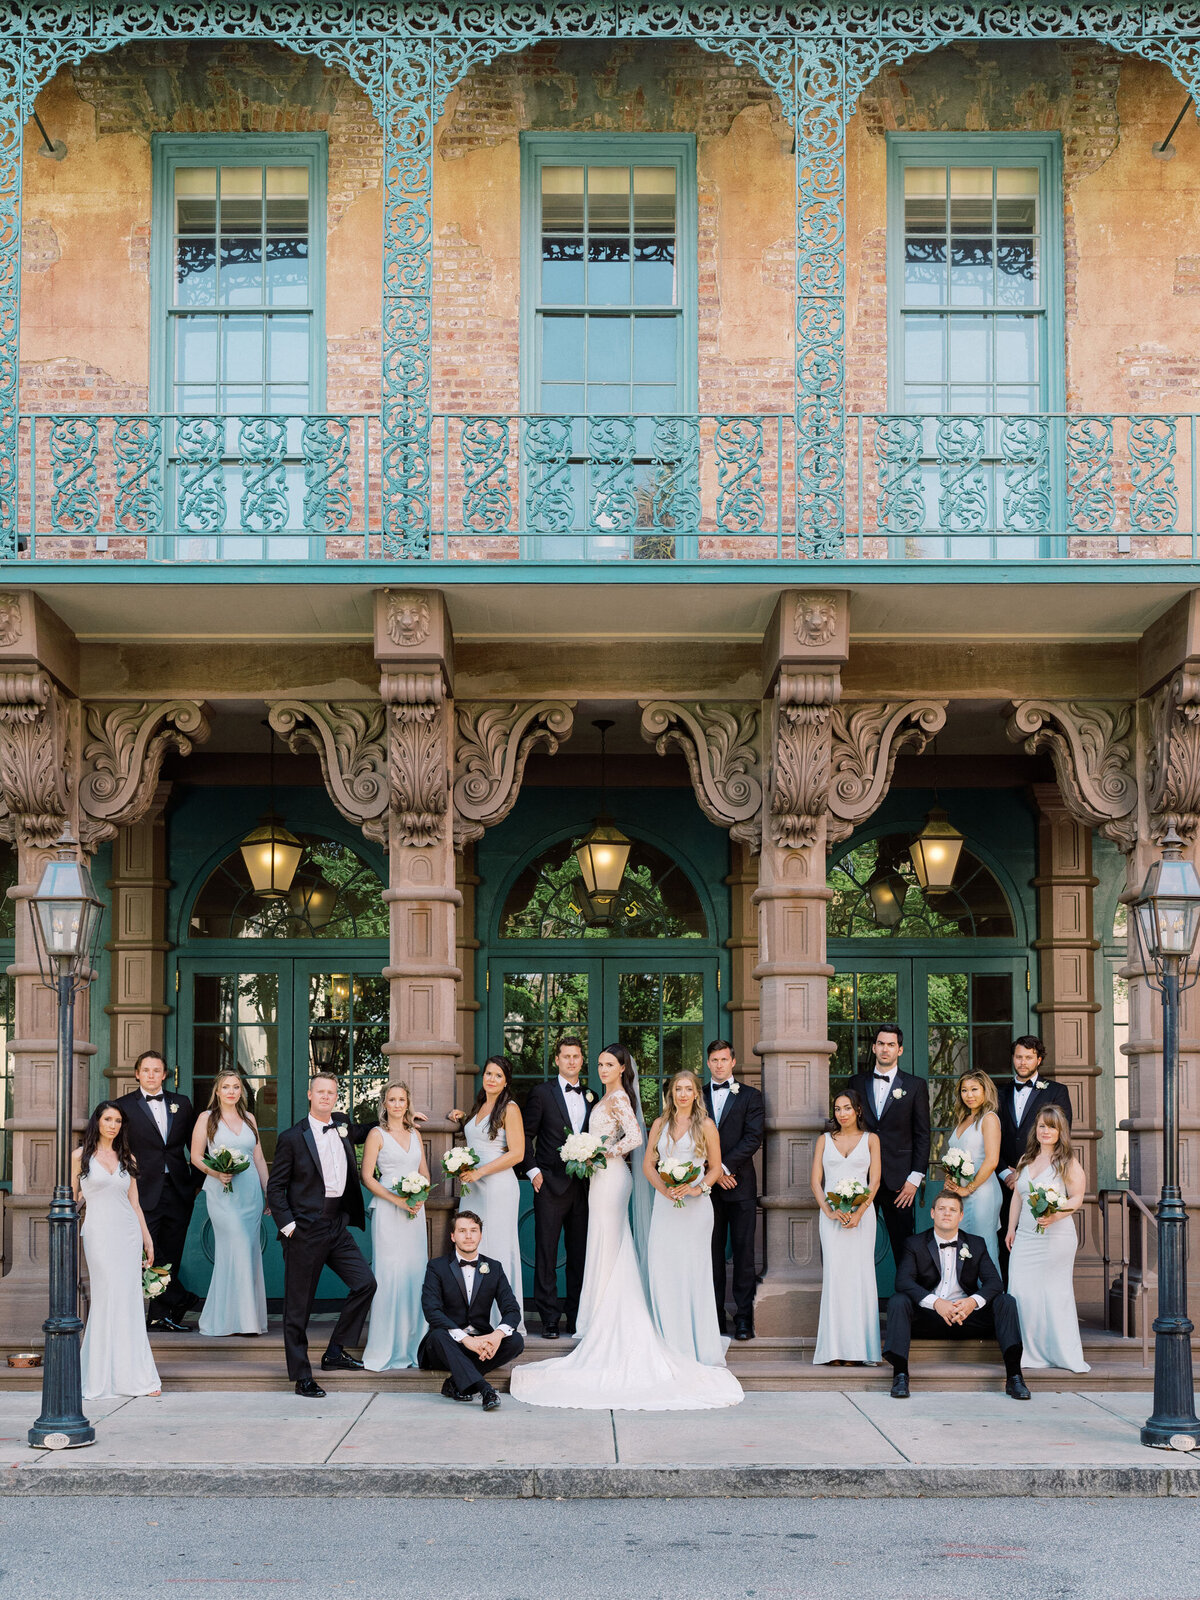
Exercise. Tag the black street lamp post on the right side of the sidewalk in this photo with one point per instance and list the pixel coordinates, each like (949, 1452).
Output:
(1167, 916)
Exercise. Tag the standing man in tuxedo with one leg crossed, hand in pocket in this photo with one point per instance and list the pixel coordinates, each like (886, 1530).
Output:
(316, 1198)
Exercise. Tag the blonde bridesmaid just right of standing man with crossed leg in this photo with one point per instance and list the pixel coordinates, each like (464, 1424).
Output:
(399, 1236)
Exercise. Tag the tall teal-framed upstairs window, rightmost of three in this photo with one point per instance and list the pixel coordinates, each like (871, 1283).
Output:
(975, 287)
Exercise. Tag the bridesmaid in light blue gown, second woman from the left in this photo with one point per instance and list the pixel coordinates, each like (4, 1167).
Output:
(238, 1297)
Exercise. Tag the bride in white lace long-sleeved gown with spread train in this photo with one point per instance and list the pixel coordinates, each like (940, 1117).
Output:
(620, 1364)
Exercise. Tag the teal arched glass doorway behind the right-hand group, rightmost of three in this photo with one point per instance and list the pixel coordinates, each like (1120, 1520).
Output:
(953, 972)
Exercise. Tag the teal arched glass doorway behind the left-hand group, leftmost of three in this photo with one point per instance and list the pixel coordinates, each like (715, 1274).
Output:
(276, 988)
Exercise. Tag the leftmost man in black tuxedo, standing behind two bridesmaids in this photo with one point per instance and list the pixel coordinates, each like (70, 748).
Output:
(161, 1134)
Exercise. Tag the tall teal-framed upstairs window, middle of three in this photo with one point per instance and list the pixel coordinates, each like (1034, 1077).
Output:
(609, 334)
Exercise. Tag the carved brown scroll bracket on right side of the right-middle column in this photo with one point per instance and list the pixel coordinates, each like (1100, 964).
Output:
(865, 745)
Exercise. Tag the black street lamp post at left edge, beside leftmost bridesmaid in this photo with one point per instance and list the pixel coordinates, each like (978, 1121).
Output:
(66, 927)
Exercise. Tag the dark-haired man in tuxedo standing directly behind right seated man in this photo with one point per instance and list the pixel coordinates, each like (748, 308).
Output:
(897, 1108)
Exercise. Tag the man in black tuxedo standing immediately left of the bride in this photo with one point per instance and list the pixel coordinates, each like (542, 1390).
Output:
(556, 1110)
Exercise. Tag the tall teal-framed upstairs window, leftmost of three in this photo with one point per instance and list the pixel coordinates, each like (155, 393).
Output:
(239, 234)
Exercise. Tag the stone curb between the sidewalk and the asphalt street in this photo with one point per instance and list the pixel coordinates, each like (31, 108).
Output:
(356, 1482)
